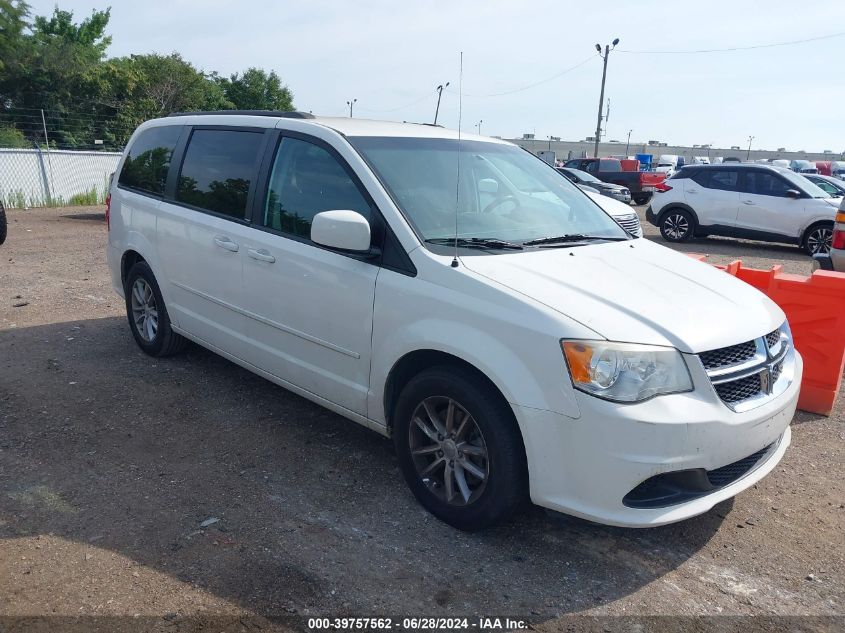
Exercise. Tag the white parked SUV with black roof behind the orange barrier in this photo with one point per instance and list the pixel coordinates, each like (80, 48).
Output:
(758, 202)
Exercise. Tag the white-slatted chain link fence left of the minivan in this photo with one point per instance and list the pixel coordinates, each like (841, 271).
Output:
(44, 178)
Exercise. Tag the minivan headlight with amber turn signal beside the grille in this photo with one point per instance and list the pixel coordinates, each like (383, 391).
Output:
(625, 372)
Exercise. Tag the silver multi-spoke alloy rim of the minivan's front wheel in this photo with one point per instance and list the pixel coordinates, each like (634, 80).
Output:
(448, 451)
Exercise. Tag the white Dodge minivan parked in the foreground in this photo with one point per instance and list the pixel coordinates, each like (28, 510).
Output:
(456, 294)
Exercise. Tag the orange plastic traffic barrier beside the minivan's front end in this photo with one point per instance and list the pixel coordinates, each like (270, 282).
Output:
(815, 307)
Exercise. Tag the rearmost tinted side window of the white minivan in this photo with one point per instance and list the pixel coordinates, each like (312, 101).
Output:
(148, 159)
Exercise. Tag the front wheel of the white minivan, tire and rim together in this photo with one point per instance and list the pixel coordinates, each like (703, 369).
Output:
(460, 449)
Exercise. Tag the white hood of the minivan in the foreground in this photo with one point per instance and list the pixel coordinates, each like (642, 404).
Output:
(637, 292)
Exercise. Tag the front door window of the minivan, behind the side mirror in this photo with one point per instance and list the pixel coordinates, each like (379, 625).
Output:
(306, 180)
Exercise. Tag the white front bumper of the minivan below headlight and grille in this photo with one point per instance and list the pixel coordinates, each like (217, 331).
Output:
(586, 466)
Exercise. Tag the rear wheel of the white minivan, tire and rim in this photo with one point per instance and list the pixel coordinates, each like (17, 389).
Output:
(147, 314)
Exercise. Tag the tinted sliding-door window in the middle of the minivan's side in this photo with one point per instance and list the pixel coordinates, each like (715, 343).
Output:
(218, 169)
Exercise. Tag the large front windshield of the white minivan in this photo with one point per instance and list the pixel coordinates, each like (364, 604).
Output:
(503, 192)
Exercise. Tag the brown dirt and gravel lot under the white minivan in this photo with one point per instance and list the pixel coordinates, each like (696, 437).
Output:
(113, 465)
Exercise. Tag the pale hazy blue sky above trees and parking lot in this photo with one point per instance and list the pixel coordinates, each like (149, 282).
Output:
(391, 54)
